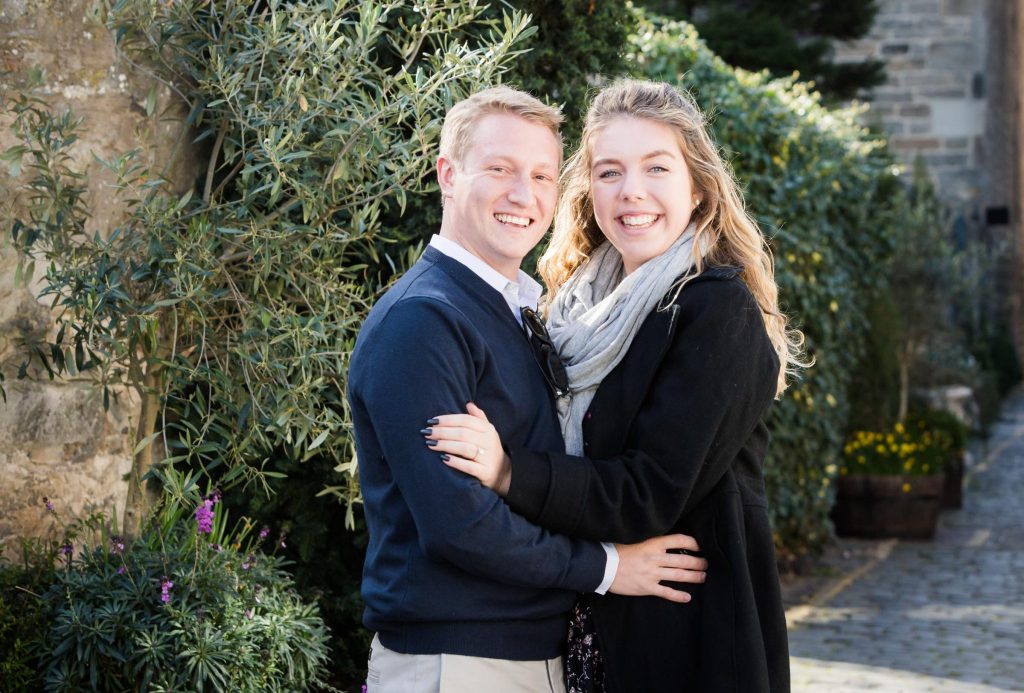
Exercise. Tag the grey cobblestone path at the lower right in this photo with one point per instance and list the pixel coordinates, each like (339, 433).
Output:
(945, 616)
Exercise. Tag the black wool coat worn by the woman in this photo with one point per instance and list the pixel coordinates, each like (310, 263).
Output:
(676, 443)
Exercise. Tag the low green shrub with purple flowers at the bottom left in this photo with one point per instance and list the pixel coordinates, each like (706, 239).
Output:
(188, 607)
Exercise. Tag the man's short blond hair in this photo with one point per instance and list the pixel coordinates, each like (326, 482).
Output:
(457, 133)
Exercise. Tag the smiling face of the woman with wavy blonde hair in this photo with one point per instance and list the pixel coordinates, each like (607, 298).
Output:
(642, 188)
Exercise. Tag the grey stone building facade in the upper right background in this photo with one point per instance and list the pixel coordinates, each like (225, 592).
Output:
(953, 98)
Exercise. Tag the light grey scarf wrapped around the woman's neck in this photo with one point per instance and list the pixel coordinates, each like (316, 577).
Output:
(595, 316)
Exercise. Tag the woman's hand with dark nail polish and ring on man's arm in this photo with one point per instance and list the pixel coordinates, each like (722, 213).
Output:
(473, 446)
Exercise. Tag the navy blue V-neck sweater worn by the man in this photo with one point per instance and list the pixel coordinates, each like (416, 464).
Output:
(450, 569)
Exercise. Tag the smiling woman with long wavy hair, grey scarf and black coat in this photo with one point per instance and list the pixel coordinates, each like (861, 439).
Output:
(665, 309)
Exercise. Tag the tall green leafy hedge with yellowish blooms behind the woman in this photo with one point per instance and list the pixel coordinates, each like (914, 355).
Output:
(825, 190)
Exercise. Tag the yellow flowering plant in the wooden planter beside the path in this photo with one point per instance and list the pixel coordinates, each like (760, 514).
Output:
(914, 449)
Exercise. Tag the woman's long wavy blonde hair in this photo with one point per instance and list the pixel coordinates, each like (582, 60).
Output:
(723, 226)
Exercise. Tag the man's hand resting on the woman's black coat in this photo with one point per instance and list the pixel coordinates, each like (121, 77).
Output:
(644, 567)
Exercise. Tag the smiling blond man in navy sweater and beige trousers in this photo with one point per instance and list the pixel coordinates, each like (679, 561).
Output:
(463, 594)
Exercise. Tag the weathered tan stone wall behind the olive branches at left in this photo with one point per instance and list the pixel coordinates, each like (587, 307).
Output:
(56, 441)
